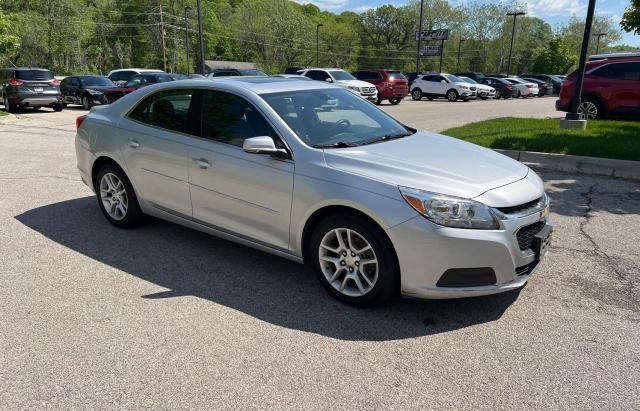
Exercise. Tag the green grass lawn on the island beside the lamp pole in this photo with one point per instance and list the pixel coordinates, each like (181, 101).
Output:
(609, 139)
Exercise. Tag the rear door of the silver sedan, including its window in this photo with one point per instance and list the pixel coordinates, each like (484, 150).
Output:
(156, 151)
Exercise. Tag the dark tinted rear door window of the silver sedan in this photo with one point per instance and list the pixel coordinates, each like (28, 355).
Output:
(169, 109)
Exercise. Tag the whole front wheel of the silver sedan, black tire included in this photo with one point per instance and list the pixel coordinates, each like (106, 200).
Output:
(354, 260)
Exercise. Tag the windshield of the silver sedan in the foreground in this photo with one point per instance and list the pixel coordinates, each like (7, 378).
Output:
(333, 117)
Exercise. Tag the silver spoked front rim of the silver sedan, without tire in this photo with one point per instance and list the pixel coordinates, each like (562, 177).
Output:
(348, 262)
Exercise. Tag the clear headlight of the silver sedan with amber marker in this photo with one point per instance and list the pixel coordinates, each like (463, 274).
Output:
(450, 211)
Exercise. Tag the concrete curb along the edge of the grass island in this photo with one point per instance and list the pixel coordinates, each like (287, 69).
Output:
(577, 164)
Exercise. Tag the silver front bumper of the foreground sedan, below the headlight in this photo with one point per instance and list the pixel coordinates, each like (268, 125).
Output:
(426, 251)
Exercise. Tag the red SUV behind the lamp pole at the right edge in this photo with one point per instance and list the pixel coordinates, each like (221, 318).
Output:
(611, 87)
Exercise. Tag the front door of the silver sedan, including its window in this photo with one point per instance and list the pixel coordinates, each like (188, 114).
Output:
(245, 194)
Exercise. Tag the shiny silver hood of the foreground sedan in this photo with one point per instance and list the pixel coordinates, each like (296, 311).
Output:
(430, 162)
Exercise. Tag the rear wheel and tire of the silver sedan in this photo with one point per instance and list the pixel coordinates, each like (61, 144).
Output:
(116, 197)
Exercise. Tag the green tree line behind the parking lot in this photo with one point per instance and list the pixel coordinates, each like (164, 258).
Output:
(95, 36)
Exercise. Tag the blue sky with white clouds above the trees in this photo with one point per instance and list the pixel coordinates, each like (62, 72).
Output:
(554, 12)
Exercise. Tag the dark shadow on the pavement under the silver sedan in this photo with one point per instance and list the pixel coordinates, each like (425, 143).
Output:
(272, 289)
